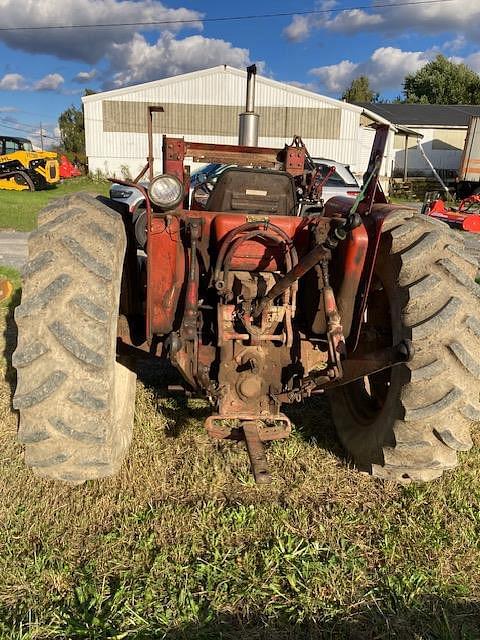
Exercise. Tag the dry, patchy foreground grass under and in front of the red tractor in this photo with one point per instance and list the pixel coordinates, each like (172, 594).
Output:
(182, 544)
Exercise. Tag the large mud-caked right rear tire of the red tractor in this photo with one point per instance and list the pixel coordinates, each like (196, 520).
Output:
(409, 423)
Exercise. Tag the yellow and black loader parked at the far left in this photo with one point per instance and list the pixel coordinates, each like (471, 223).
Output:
(23, 169)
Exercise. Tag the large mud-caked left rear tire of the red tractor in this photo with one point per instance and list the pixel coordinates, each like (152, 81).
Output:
(76, 402)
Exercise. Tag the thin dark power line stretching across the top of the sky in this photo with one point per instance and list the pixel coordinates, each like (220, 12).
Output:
(257, 16)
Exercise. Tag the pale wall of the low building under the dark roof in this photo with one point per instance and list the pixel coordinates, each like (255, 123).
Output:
(443, 146)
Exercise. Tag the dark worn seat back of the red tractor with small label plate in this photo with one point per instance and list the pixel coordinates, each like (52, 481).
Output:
(255, 191)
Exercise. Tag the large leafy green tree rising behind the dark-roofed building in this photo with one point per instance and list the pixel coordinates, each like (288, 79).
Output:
(443, 82)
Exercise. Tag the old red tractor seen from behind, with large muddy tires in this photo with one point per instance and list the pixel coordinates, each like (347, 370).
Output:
(257, 306)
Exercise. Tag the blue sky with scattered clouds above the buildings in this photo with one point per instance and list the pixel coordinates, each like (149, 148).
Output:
(43, 71)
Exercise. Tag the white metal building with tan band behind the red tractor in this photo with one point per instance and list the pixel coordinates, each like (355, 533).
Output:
(203, 106)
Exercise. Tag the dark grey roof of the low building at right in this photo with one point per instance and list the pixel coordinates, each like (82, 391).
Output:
(424, 115)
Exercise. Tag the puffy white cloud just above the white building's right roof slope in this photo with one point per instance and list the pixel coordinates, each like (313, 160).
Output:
(386, 69)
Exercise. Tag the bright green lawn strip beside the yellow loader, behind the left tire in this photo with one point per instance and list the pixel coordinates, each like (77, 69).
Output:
(19, 209)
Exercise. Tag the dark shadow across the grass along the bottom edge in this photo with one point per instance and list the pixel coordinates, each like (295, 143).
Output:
(427, 618)
